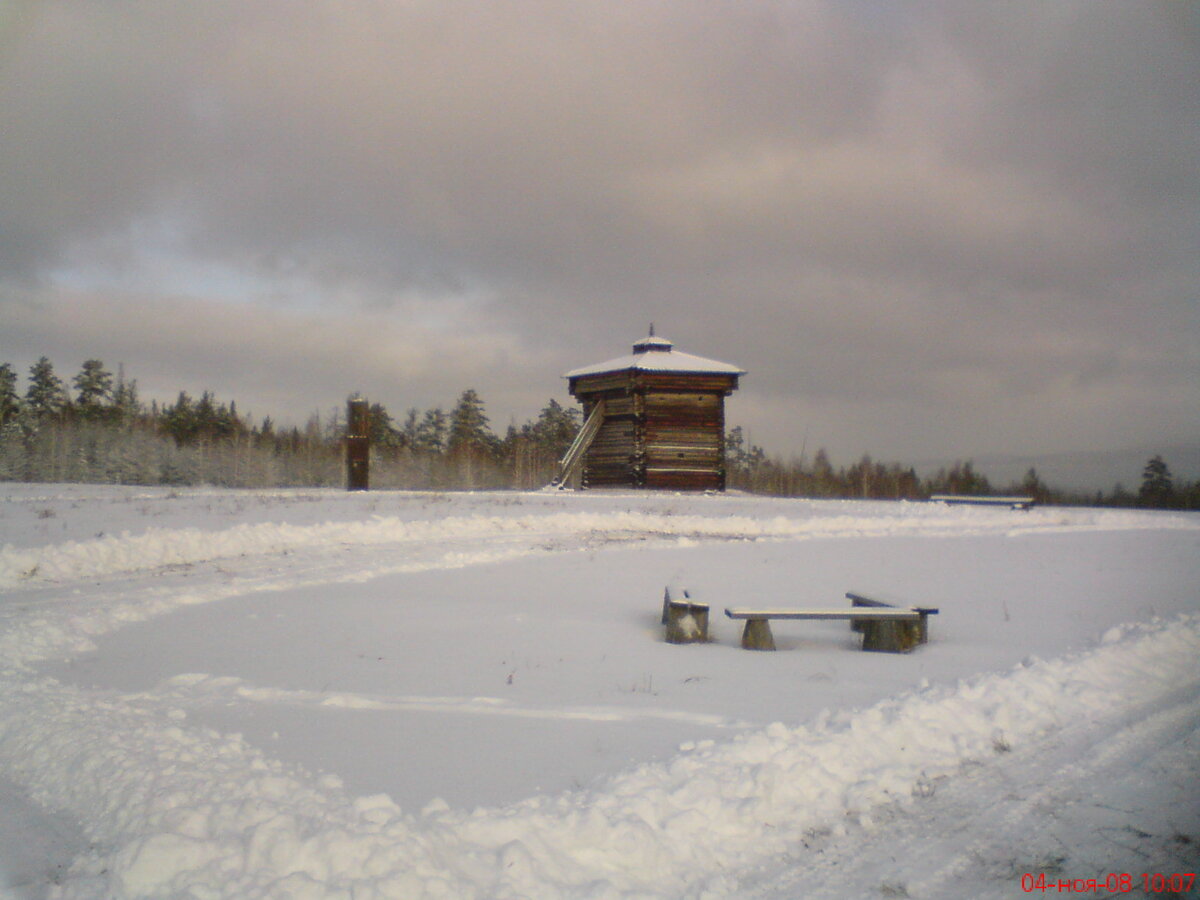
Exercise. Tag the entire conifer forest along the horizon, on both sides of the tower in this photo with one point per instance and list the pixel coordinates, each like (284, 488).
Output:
(97, 429)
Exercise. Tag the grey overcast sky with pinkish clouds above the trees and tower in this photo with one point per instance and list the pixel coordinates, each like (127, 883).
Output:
(927, 230)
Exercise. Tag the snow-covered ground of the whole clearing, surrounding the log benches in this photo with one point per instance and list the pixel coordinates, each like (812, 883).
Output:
(314, 694)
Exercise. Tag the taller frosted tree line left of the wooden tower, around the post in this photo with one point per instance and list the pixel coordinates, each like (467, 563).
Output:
(100, 431)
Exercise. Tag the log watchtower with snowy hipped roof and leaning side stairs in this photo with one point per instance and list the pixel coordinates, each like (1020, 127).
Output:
(653, 419)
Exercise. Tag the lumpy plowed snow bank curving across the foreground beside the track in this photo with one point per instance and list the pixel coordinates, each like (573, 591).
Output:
(177, 812)
